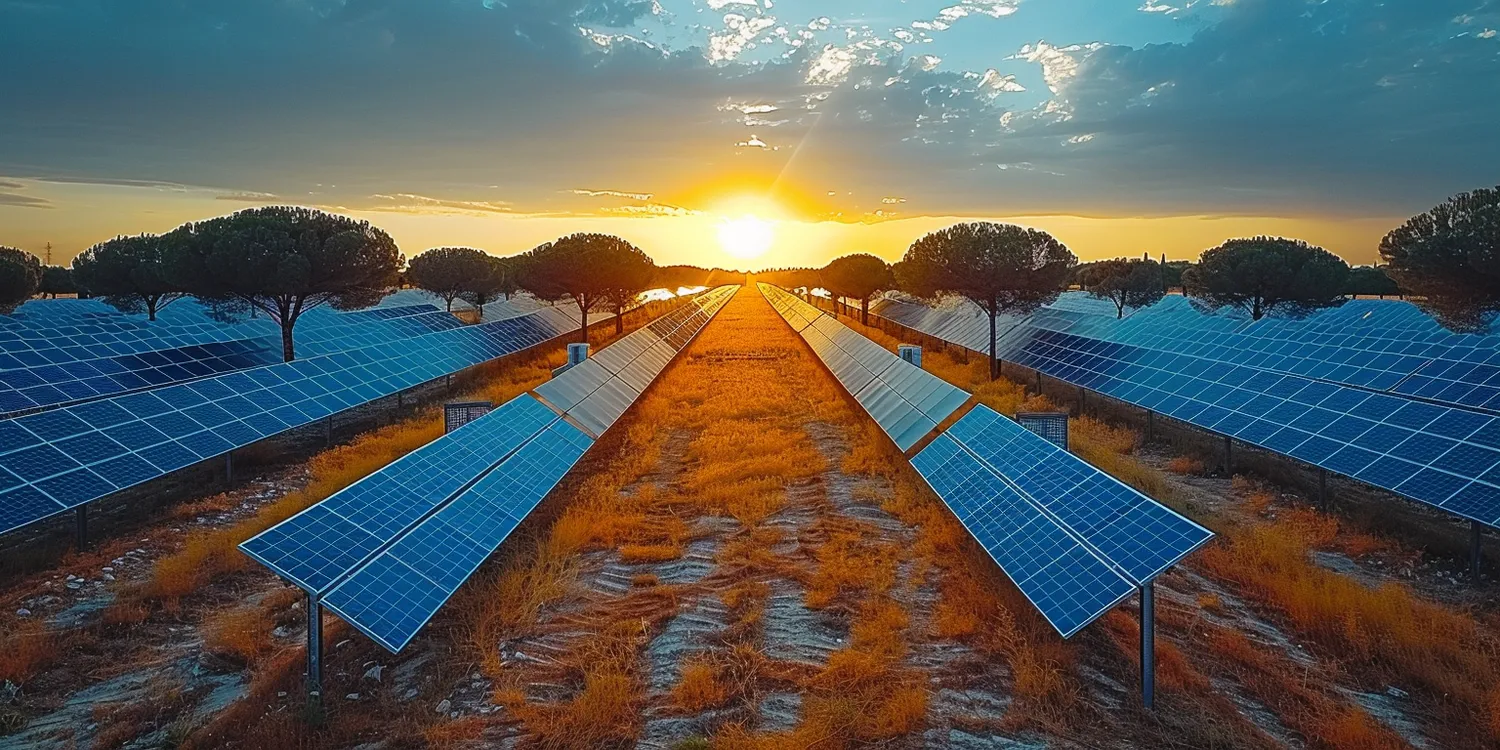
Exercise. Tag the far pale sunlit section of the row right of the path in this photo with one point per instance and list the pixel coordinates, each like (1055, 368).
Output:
(905, 401)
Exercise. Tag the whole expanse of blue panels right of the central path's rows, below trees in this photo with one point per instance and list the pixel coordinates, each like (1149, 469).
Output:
(1342, 407)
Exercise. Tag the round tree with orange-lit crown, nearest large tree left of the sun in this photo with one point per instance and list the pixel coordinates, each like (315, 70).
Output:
(577, 268)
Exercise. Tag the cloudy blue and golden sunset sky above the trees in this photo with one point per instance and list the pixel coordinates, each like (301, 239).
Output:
(1124, 128)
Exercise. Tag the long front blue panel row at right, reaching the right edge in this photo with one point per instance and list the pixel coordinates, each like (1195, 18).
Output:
(1439, 455)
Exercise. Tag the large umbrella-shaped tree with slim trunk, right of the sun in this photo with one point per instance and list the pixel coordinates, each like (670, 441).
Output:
(1001, 268)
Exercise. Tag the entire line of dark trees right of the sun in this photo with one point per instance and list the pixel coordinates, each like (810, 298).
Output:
(1448, 259)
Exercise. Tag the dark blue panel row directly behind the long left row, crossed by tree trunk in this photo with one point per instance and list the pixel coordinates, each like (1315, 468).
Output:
(28, 389)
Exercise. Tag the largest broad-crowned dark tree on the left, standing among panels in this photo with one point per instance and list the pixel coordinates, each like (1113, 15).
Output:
(284, 262)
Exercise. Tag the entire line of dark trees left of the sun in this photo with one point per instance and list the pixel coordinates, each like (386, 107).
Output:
(283, 262)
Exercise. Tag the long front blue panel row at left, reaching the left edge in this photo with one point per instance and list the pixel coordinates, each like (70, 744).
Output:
(64, 458)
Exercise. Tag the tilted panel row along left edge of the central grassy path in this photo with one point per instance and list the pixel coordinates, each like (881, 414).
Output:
(389, 551)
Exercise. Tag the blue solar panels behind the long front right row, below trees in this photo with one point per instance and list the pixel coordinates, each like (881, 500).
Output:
(1370, 344)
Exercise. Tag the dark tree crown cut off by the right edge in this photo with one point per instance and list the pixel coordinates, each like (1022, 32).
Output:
(1450, 257)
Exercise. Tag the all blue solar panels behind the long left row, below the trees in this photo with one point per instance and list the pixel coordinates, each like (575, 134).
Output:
(71, 364)
